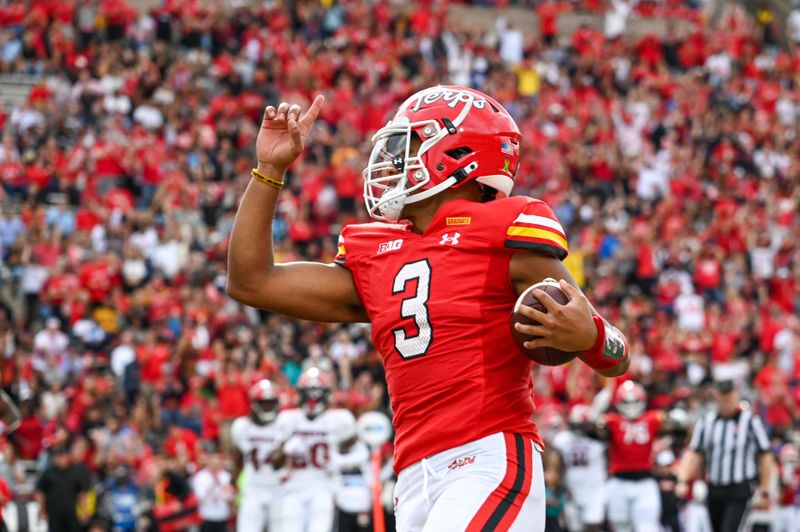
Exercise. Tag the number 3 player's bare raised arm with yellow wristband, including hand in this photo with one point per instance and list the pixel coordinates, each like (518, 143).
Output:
(306, 290)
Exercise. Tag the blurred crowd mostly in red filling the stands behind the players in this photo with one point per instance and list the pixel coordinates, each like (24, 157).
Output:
(671, 161)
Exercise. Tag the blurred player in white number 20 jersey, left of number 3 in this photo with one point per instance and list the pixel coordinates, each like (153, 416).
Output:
(318, 436)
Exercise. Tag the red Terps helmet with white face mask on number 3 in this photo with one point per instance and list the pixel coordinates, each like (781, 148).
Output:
(462, 134)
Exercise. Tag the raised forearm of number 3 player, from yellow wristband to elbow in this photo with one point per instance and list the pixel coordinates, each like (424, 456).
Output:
(250, 253)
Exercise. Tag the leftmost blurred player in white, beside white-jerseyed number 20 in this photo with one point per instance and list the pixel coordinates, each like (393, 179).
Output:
(258, 439)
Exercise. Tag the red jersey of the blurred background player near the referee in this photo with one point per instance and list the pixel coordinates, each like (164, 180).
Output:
(631, 441)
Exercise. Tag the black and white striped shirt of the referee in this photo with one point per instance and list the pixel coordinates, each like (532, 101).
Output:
(731, 446)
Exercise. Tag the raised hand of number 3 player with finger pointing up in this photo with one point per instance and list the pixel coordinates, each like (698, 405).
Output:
(282, 136)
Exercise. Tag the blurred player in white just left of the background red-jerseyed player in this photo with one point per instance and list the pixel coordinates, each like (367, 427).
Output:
(585, 459)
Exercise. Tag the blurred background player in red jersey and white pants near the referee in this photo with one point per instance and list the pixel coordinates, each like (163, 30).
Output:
(634, 501)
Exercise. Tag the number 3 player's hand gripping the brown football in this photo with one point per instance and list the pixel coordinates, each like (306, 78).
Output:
(567, 327)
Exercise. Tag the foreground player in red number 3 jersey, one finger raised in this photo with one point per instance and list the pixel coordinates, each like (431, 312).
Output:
(438, 279)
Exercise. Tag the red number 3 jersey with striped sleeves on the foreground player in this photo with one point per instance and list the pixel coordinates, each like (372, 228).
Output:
(440, 304)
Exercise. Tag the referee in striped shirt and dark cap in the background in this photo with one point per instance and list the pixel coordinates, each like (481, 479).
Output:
(733, 444)
